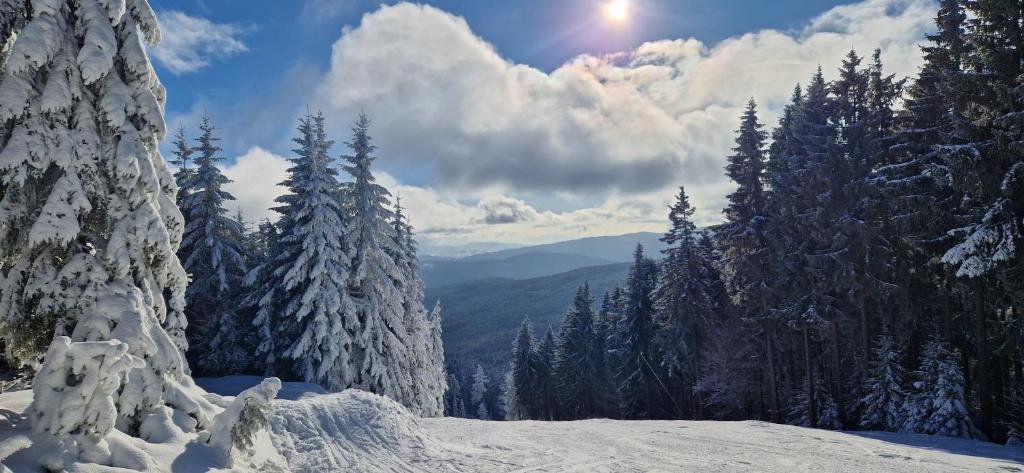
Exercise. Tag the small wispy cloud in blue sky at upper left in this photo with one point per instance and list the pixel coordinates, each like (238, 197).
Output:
(191, 44)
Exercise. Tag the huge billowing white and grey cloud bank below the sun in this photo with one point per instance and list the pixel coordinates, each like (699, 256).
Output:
(630, 127)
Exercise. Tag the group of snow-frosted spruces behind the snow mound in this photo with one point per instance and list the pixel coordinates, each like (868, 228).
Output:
(329, 294)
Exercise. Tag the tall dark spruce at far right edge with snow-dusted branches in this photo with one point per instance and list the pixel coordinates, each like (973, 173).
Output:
(991, 181)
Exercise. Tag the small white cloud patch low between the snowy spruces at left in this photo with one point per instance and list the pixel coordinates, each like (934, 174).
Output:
(257, 176)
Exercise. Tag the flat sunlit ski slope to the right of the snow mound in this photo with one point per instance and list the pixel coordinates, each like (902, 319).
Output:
(604, 446)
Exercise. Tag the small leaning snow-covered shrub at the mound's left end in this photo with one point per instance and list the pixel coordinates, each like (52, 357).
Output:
(236, 427)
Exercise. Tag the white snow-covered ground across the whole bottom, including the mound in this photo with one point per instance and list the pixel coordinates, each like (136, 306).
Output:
(360, 433)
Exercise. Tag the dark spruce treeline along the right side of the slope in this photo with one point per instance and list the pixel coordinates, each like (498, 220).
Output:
(867, 276)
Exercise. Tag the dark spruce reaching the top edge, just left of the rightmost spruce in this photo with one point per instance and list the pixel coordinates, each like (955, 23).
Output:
(919, 180)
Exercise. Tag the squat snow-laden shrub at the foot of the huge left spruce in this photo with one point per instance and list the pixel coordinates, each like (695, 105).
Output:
(74, 395)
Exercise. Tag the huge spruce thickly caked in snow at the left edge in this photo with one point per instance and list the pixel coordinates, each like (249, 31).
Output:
(89, 225)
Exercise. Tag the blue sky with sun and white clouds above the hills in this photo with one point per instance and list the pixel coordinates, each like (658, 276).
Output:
(514, 121)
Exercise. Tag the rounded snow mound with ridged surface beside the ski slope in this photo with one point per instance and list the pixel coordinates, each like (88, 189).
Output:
(351, 432)
